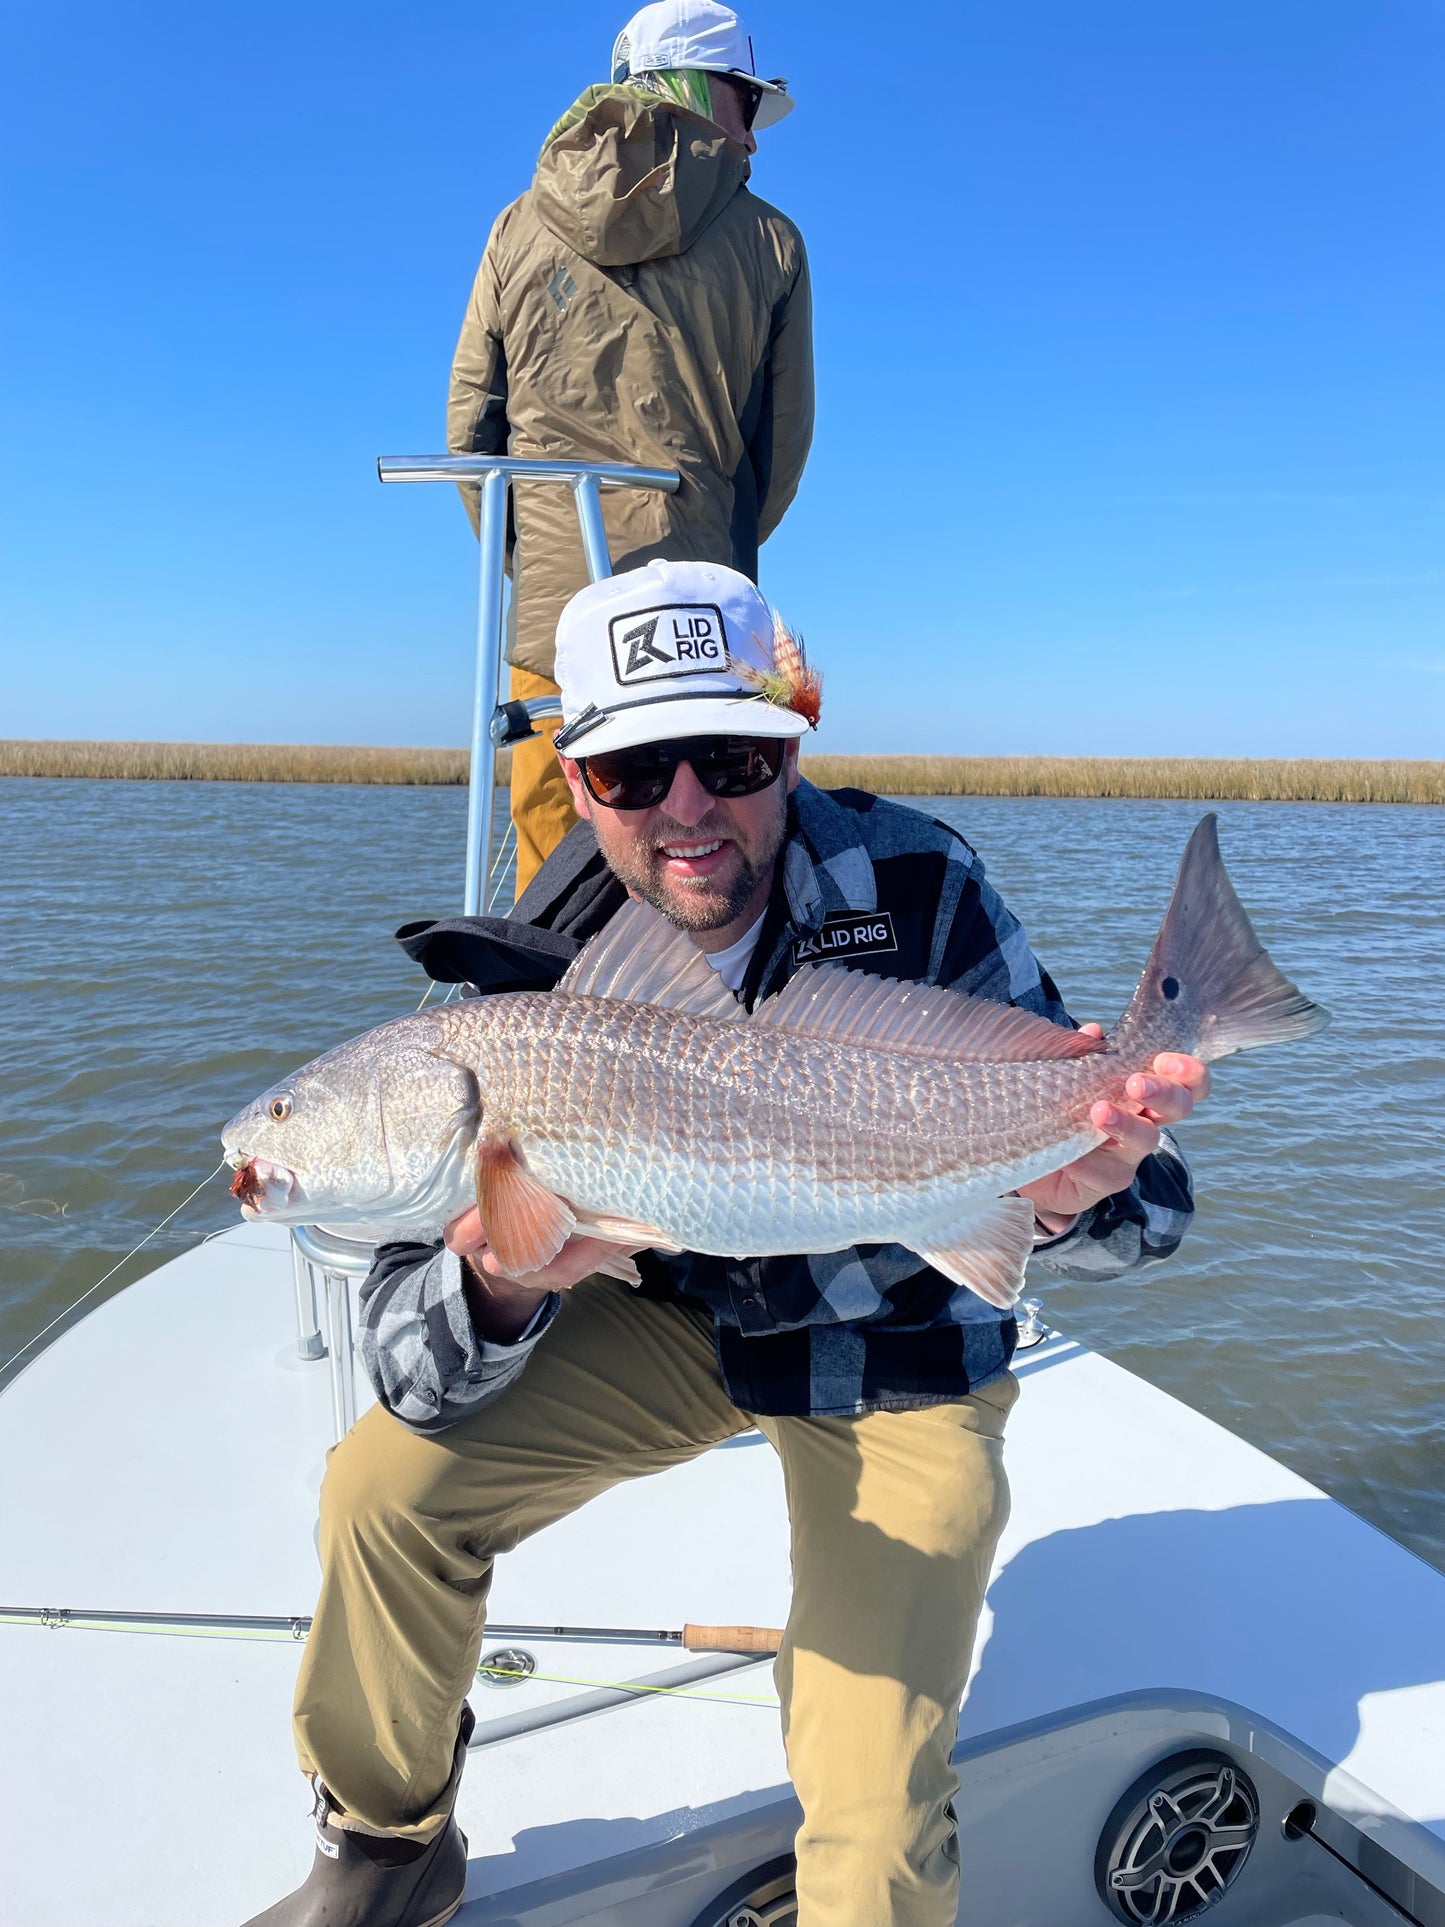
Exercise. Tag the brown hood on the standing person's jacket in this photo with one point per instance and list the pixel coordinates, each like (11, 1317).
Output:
(627, 176)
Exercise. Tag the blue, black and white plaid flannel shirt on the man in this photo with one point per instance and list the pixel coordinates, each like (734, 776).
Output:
(828, 1333)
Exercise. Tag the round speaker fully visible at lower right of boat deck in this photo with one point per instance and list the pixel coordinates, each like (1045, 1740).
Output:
(1178, 1839)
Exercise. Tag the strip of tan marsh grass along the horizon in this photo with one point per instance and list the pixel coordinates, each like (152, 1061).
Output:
(1205, 779)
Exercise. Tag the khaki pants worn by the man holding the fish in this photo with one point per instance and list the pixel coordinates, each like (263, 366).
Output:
(895, 1519)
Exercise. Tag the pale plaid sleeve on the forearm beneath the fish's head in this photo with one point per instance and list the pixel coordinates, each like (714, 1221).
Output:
(421, 1350)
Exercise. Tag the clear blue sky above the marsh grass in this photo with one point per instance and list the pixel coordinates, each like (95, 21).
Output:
(1130, 327)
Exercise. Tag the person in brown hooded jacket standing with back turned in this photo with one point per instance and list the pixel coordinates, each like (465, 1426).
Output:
(639, 305)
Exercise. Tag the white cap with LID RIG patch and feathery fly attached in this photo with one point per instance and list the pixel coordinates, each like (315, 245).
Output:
(664, 652)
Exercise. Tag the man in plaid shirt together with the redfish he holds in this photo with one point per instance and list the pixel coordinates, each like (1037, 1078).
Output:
(883, 1155)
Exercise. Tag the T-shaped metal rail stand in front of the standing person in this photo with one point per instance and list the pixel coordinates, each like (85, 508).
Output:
(492, 726)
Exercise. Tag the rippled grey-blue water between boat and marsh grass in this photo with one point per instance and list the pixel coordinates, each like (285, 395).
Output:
(167, 951)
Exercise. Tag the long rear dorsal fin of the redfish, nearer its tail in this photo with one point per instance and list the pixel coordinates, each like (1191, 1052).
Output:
(920, 1020)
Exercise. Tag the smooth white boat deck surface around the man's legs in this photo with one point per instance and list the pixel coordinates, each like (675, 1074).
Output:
(165, 1456)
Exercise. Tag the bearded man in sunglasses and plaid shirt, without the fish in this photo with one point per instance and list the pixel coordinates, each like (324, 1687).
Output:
(506, 1404)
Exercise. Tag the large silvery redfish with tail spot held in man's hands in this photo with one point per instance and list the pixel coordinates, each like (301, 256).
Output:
(641, 1103)
